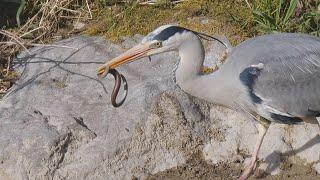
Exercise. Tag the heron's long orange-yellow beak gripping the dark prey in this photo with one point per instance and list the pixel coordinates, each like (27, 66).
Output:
(137, 52)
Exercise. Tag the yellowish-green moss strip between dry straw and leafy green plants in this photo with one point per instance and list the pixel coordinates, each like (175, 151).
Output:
(223, 17)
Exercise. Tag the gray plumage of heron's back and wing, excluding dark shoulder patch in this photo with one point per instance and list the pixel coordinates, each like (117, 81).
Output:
(289, 81)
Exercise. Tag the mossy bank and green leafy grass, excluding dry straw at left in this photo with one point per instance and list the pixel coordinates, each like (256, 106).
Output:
(232, 18)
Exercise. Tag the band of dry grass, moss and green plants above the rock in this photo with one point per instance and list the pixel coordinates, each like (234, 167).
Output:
(44, 21)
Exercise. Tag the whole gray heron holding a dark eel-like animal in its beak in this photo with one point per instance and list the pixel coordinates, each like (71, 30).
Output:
(274, 78)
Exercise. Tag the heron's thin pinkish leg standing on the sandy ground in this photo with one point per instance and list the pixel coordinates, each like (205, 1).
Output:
(262, 128)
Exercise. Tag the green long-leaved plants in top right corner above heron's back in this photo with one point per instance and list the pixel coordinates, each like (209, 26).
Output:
(286, 16)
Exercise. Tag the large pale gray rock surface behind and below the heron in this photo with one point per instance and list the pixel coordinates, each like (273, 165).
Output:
(57, 122)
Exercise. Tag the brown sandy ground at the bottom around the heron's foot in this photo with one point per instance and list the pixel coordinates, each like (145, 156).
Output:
(196, 168)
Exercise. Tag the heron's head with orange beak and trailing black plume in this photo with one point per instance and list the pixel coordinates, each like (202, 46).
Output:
(163, 39)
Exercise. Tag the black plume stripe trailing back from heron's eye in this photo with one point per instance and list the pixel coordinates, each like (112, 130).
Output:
(172, 30)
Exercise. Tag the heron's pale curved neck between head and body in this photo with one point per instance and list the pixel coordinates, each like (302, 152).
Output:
(190, 77)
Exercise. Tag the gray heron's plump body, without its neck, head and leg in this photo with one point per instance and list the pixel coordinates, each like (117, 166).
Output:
(285, 89)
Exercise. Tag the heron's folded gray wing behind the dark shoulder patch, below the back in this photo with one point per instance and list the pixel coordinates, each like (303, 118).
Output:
(290, 84)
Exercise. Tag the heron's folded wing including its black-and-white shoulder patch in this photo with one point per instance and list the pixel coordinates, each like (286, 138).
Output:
(286, 85)
